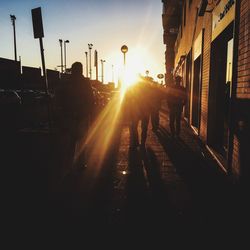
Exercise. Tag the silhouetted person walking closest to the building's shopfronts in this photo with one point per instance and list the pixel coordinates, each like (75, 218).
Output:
(176, 99)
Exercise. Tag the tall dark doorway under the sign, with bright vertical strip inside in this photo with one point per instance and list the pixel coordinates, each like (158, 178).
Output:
(220, 91)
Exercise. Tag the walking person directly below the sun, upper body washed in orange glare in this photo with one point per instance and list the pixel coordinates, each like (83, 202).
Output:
(139, 105)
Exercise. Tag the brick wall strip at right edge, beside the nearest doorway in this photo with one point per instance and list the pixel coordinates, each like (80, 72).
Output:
(241, 139)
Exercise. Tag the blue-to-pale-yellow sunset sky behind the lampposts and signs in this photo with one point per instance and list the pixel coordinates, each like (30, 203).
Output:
(107, 24)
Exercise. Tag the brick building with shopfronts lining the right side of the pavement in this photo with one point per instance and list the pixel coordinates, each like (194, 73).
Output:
(207, 43)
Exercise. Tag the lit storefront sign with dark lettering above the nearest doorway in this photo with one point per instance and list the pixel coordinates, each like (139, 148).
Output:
(223, 15)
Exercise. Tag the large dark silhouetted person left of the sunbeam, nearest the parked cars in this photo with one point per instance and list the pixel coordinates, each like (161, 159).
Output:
(78, 105)
